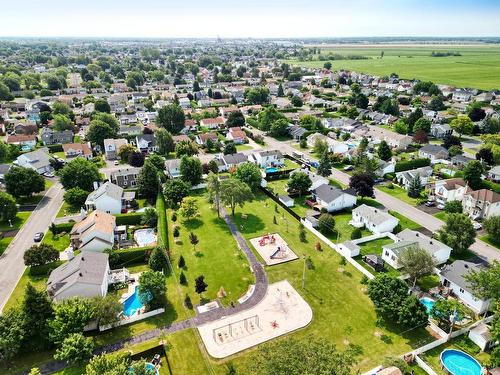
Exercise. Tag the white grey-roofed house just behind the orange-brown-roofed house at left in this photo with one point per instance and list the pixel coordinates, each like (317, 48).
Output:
(109, 198)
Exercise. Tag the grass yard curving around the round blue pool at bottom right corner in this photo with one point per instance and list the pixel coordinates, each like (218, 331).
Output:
(431, 357)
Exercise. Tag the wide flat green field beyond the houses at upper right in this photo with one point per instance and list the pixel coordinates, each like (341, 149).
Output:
(478, 66)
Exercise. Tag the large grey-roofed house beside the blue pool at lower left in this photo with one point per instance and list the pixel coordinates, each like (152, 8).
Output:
(86, 275)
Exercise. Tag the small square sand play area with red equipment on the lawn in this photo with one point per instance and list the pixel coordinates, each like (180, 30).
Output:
(273, 249)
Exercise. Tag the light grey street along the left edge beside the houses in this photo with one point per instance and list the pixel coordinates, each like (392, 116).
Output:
(11, 262)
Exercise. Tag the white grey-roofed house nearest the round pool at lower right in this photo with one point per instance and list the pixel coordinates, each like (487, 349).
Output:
(452, 276)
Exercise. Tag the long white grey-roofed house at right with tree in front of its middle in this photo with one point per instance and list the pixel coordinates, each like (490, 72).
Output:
(410, 238)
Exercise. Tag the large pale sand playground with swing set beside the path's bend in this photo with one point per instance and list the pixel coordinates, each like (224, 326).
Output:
(281, 311)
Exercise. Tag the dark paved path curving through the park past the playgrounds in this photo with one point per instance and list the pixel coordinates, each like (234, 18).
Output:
(261, 286)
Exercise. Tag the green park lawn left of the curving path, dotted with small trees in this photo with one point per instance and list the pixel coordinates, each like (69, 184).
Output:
(216, 256)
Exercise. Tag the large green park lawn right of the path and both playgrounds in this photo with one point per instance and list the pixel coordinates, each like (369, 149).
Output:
(342, 311)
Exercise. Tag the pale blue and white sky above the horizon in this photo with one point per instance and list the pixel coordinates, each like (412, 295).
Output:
(250, 18)
